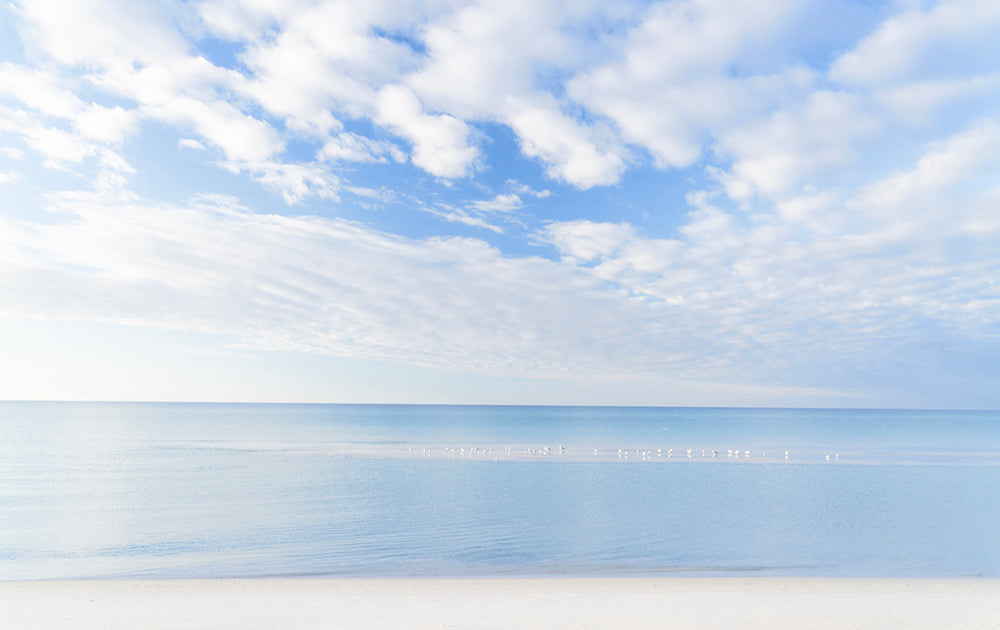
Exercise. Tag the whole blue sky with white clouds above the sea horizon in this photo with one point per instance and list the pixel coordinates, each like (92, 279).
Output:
(691, 202)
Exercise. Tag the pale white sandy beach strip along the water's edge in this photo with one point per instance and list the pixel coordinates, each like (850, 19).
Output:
(503, 603)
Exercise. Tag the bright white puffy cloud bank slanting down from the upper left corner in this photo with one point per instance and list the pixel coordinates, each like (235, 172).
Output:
(140, 56)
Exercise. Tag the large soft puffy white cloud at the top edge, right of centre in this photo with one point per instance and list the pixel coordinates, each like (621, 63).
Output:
(672, 89)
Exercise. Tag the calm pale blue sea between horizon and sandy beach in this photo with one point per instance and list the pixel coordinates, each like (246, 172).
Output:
(100, 490)
